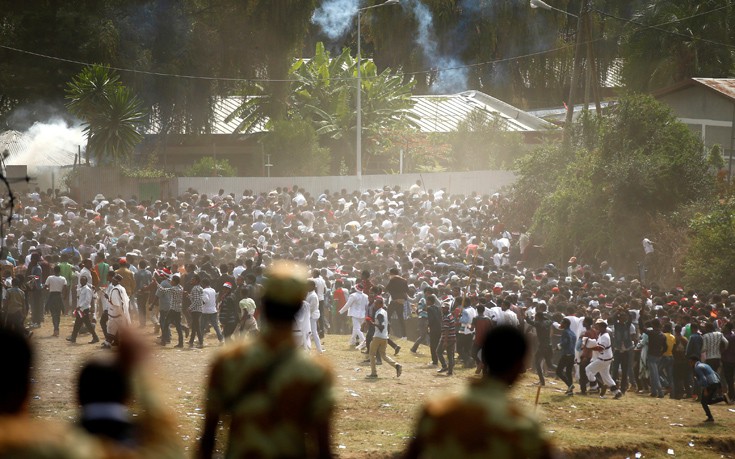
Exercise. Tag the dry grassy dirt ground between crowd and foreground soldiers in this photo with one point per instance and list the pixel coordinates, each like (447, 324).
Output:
(375, 418)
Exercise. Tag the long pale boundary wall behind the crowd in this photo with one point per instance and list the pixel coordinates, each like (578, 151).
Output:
(482, 182)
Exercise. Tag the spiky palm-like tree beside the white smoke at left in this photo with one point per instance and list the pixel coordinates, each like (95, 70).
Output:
(112, 114)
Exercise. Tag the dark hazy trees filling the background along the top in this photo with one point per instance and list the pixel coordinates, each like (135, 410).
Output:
(502, 47)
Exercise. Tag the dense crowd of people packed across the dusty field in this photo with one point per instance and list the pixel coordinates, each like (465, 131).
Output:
(441, 269)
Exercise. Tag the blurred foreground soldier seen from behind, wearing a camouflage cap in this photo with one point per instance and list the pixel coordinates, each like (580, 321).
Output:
(279, 402)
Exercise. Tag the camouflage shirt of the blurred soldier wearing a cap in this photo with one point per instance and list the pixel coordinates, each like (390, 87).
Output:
(272, 396)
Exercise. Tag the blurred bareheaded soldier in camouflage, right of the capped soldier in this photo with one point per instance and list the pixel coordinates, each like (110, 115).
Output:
(483, 421)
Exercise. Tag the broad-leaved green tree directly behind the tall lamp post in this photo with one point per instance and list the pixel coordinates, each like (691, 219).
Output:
(323, 93)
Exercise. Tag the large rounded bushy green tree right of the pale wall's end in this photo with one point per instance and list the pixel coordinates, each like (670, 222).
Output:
(598, 200)
